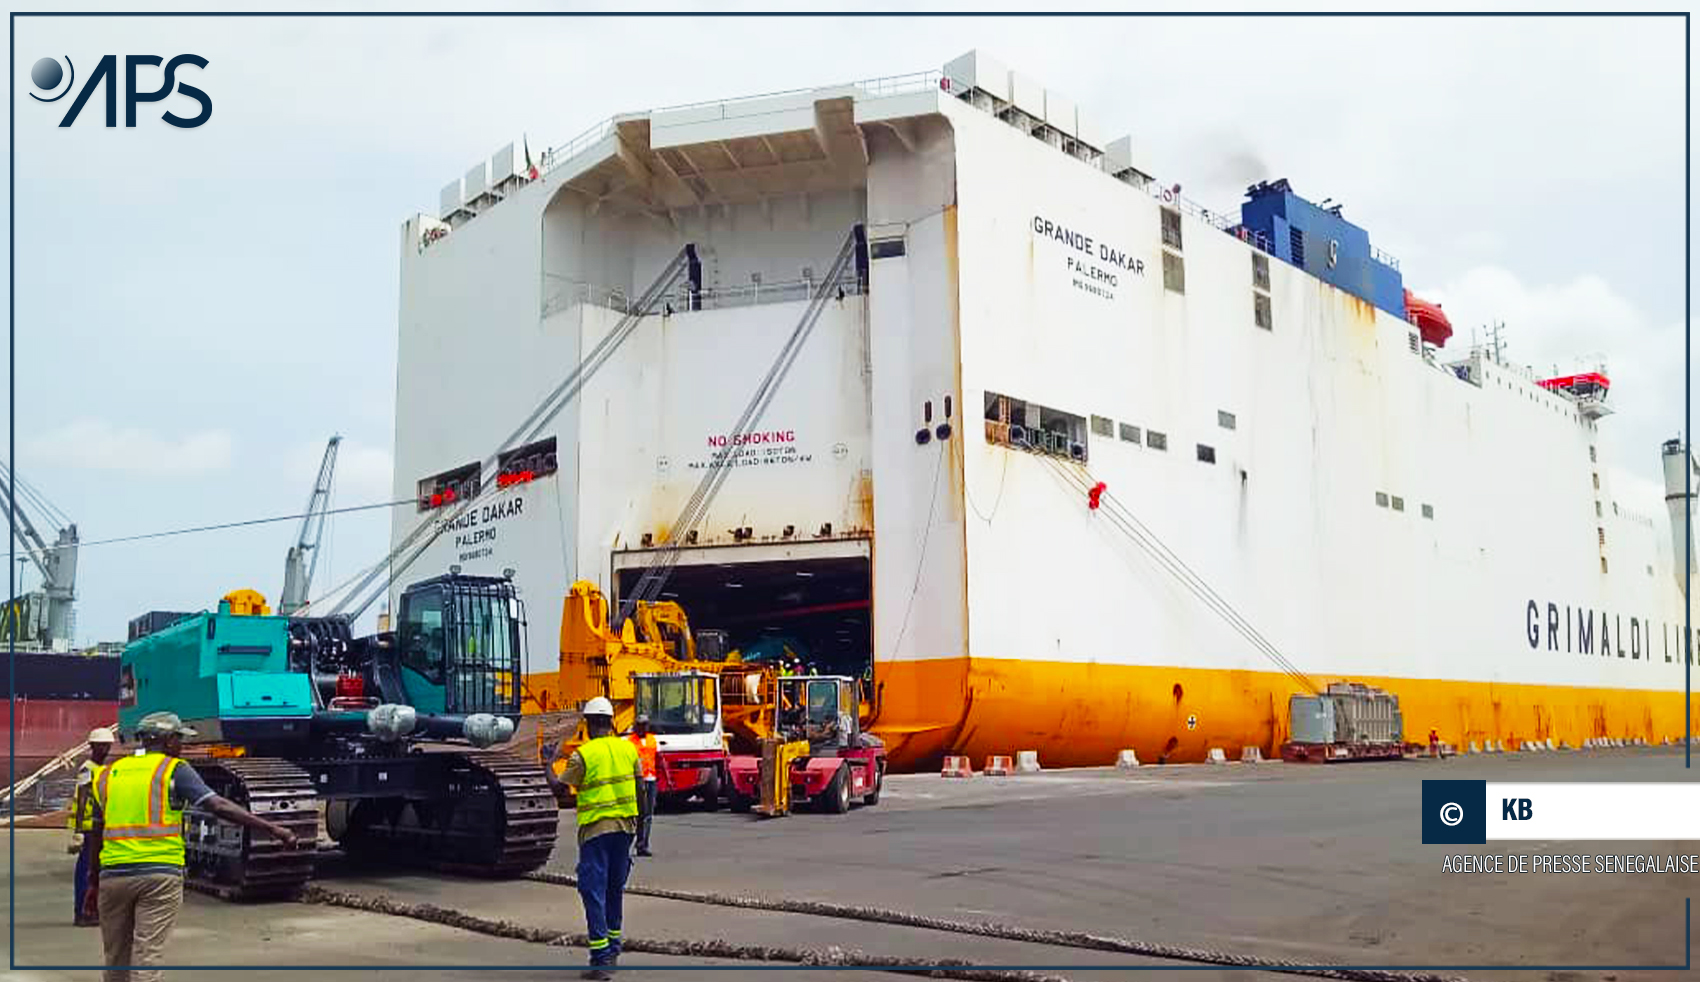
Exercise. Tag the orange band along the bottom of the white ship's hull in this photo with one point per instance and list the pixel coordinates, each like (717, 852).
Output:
(1080, 714)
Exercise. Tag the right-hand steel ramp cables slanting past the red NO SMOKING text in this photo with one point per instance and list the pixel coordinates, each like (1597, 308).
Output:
(666, 560)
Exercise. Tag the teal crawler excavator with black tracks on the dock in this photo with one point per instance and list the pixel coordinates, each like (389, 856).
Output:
(394, 738)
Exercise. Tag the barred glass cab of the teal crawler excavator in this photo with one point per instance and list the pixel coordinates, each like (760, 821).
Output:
(460, 646)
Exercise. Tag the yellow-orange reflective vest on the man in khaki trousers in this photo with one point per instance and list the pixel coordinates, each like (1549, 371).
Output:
(140, 825)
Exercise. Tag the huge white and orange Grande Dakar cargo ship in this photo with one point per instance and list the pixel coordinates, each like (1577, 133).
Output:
(1067, 461)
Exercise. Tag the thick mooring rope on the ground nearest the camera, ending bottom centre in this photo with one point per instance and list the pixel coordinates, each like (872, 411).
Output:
(715, 949)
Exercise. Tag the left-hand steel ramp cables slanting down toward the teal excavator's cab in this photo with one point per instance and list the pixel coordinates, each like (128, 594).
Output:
(428, 531)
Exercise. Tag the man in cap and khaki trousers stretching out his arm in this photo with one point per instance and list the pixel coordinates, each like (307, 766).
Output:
(137, 883)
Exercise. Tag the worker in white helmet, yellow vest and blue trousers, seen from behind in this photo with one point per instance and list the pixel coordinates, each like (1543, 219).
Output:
(606, 774)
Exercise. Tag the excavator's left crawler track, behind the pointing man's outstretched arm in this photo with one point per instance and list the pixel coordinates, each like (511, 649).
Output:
(237, 864)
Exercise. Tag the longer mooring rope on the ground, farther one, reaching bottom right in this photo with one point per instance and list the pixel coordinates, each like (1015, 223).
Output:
(1014, 934)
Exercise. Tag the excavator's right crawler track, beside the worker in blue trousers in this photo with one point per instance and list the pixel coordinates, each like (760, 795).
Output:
(497, 820)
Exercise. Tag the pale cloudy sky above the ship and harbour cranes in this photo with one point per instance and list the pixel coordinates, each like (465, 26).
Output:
(198, 312)
